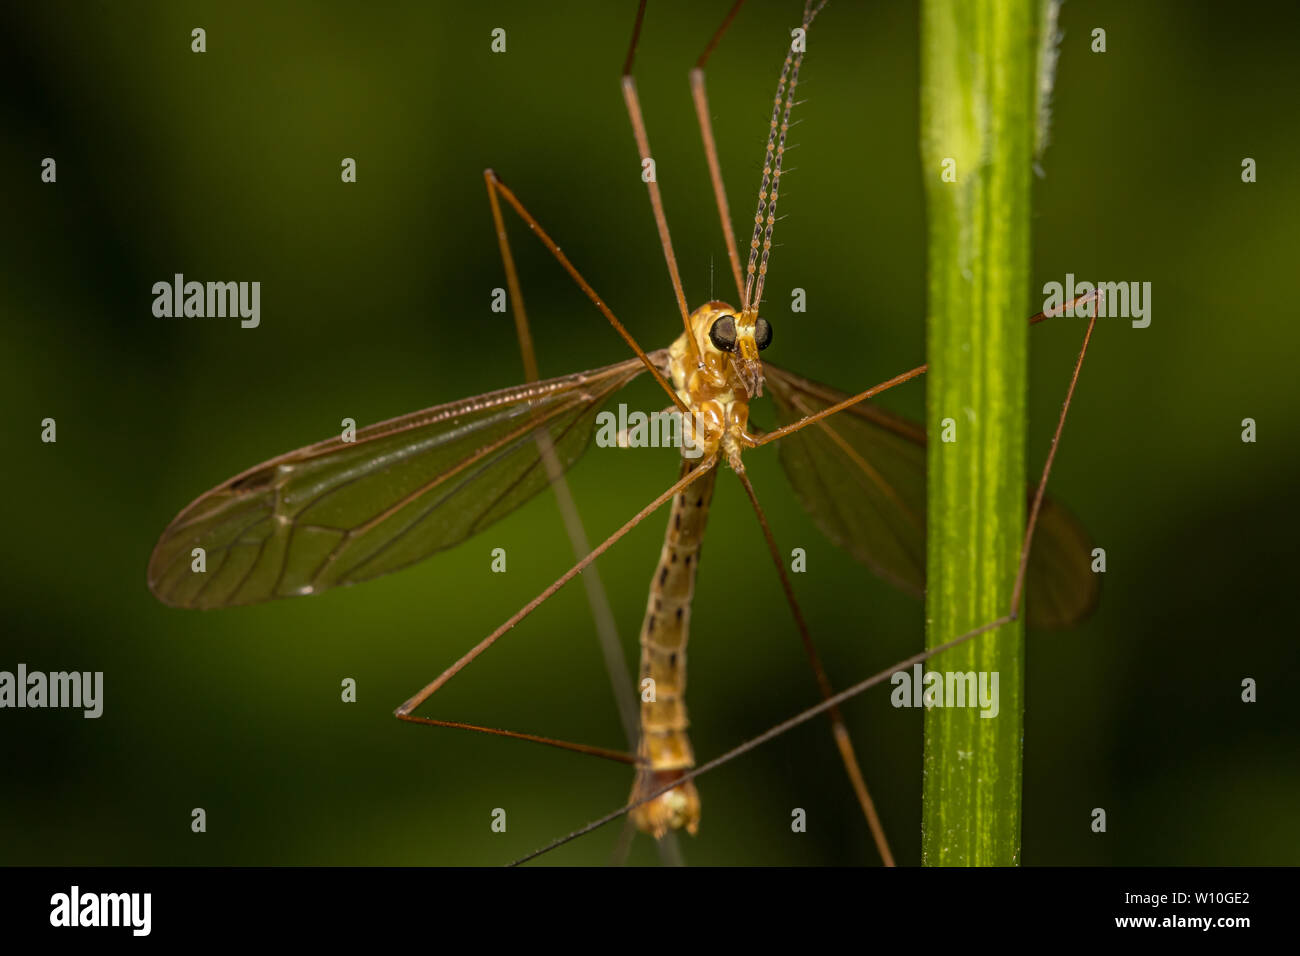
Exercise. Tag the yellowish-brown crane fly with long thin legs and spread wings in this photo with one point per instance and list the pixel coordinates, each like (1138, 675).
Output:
(346, 511)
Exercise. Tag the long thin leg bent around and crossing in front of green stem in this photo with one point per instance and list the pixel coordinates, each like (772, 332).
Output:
(879, 677)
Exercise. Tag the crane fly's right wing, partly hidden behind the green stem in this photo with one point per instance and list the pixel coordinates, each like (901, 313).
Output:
(861, 474)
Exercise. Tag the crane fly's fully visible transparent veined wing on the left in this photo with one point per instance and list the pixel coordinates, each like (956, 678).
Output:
(339, 513)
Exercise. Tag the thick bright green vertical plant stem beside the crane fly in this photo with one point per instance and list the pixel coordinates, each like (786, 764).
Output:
(978, 110)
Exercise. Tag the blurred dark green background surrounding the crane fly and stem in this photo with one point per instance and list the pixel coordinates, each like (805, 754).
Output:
(375, 302)
